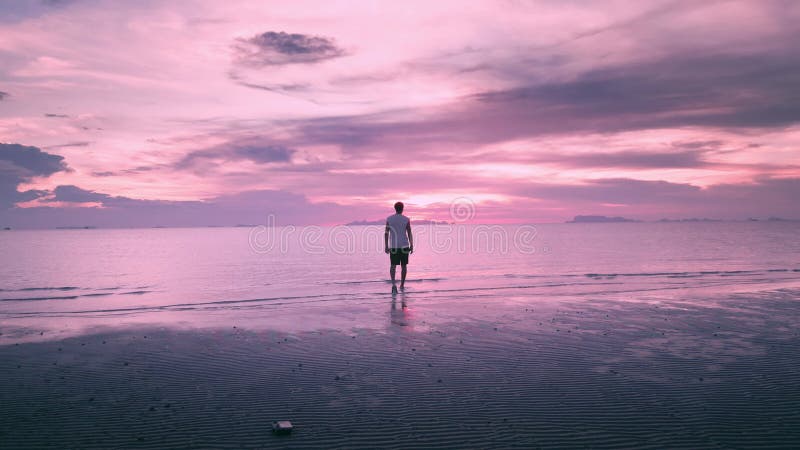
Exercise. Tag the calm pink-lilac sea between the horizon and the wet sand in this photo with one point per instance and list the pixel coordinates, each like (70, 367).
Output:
(94, 276)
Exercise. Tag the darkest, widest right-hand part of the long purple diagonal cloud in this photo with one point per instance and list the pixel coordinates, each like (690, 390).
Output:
(758, 90)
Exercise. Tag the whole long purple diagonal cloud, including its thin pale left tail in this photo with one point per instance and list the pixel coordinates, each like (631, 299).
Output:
(723, 90)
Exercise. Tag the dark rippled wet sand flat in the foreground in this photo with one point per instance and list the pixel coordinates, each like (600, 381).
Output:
(525, 372)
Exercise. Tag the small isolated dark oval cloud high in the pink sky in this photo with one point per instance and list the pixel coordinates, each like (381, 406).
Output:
(277, 48)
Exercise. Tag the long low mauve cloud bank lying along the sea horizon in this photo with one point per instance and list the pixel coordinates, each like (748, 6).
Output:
(640, 199)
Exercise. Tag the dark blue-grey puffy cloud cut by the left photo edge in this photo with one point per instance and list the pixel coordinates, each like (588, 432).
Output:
(18, 164)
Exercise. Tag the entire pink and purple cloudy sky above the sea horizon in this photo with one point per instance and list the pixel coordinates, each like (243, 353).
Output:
(206, 112)
